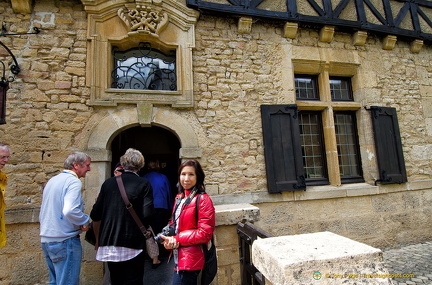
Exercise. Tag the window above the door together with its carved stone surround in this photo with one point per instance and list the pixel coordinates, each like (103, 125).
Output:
(144, 62)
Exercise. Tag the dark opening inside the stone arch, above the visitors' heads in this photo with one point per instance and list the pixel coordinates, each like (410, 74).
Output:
(153, 143)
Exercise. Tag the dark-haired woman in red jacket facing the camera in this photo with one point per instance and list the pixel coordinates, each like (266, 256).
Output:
(193, 224)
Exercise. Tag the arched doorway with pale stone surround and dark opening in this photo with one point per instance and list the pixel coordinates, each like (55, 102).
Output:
(143, 127)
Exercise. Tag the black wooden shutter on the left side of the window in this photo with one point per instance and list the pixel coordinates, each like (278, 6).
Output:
(282, 148)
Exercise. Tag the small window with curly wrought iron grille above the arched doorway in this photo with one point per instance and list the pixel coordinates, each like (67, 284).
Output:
(144, 68)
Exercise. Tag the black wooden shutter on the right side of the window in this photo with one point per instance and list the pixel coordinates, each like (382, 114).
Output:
(391, 163)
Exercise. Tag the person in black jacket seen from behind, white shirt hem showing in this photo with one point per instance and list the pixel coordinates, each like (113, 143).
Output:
(120, 242)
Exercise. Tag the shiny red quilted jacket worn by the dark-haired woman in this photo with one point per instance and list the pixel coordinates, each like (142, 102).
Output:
(193, 233)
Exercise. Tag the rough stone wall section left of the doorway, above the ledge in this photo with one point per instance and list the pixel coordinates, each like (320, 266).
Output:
(47, 103)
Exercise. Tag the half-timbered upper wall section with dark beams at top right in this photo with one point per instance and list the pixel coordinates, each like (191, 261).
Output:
(408, 19)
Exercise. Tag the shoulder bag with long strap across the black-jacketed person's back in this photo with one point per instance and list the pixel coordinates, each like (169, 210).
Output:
(151, 245)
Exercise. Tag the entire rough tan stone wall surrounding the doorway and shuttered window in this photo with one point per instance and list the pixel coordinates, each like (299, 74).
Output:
(49, 115)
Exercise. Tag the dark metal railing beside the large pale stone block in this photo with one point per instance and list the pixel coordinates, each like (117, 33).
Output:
(247, 234)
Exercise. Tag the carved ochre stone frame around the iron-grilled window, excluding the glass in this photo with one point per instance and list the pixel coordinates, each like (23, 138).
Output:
(168, 25)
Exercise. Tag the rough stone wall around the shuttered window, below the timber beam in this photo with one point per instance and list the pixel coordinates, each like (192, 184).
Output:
(235, 74)
